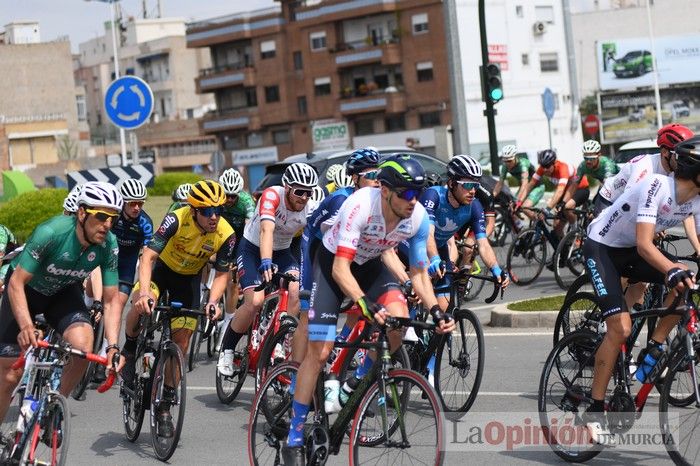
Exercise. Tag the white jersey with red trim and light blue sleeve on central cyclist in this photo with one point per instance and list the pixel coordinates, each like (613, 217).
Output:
(359, 232)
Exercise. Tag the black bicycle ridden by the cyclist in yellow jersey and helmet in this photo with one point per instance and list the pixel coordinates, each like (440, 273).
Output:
(157, 364)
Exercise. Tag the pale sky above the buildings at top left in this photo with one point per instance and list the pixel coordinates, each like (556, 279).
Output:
(83, 20)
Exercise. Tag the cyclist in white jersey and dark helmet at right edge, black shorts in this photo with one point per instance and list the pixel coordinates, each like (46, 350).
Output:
(620, 244)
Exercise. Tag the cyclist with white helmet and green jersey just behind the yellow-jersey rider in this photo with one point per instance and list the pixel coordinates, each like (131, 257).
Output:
(238, 210)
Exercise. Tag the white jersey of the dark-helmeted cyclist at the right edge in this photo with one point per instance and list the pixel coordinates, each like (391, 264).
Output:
(652, 200)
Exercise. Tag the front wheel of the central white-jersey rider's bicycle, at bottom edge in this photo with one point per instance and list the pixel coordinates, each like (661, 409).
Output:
(406, 420)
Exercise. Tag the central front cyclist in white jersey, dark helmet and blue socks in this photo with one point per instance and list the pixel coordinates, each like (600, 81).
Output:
(370, 222)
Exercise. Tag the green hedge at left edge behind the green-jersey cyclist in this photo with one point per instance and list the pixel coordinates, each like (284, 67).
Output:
(23, 213)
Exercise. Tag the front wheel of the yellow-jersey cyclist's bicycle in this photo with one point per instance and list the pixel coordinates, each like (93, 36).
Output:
(168, 395)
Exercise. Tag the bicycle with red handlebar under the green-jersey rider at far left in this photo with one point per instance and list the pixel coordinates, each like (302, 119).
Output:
(36, 428)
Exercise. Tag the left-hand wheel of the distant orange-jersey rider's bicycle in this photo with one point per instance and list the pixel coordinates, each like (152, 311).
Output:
(526, 257)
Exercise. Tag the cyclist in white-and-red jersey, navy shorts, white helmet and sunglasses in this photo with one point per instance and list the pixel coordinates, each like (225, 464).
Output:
(280, 213)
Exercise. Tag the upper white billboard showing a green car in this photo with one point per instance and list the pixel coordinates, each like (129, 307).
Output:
(626, 63)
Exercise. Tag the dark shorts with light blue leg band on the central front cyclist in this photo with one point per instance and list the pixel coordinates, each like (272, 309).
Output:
(326, 296)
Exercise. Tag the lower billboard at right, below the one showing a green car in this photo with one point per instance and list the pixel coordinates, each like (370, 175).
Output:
(627, 116)
